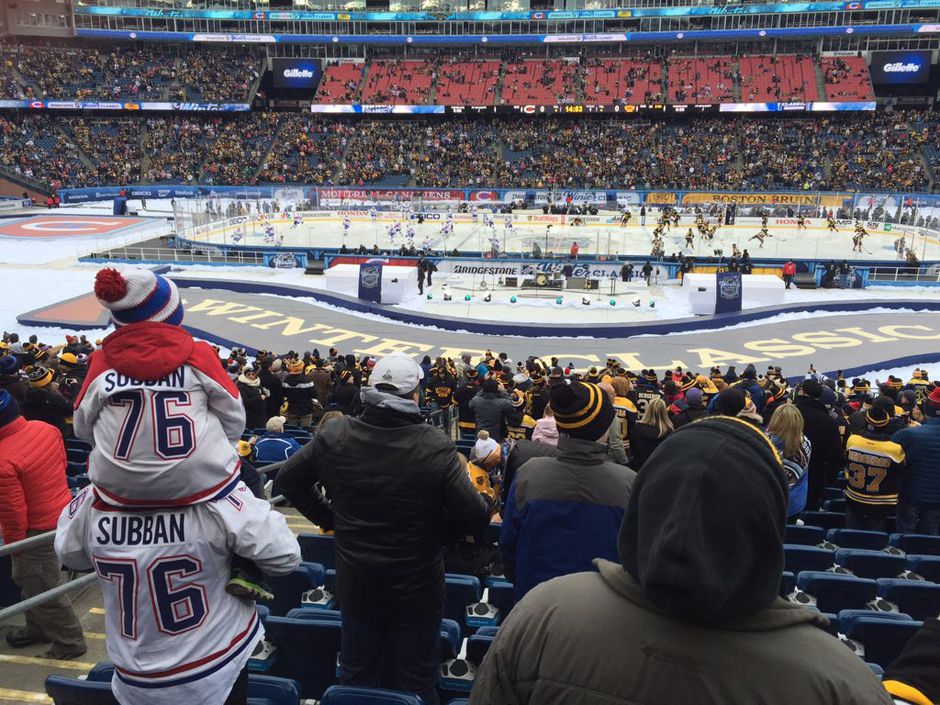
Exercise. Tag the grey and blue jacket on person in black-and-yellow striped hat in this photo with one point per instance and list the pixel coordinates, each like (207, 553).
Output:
(563, 512)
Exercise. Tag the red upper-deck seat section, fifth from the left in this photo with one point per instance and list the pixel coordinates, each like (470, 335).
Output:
(630, 81)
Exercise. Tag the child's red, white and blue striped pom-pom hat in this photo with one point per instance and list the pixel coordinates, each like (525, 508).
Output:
(137, 295)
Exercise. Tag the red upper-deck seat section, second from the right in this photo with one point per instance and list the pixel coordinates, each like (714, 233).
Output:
(769, 79)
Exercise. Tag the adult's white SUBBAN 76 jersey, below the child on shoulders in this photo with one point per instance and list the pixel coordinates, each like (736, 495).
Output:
(173, 633)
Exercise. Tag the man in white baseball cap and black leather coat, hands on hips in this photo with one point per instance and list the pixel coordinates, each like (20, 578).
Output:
(396, 491)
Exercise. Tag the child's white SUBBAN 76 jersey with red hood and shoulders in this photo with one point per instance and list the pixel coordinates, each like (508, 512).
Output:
(163, 418)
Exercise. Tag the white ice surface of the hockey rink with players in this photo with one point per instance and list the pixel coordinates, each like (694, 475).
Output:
(531, 233)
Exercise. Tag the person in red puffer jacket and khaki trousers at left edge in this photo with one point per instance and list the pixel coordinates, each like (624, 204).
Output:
(34, 491)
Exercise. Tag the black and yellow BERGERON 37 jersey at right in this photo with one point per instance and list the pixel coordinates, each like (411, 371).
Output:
(873, 468)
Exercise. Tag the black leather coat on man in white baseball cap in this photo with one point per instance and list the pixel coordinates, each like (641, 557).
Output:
(395, 493)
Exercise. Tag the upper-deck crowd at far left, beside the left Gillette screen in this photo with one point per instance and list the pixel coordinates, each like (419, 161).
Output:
(129, 73)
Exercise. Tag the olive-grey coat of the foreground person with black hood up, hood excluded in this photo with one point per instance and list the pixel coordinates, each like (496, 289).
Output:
(556, 649)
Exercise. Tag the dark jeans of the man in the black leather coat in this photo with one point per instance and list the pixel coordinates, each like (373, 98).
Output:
(397, 653)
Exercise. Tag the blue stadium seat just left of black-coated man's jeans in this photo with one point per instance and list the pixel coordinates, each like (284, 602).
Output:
(307, 652)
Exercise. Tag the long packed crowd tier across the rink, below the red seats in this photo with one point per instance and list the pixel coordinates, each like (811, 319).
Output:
(884, 150)
